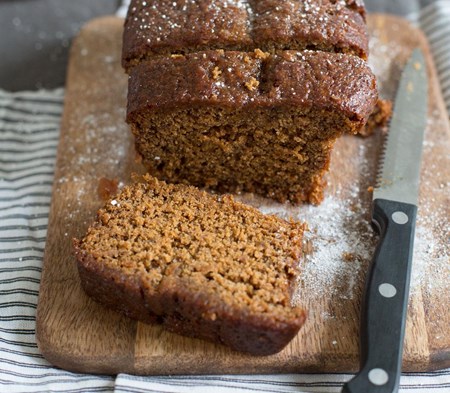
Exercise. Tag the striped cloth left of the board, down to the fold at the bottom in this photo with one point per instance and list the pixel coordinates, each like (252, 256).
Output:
(29, 130)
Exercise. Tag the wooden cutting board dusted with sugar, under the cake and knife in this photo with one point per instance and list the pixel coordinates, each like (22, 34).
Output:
(77, 334)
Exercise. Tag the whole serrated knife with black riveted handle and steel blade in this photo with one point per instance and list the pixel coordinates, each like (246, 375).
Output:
(394, 207)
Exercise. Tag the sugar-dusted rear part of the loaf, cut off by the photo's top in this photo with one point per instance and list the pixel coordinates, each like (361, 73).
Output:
(156, 27)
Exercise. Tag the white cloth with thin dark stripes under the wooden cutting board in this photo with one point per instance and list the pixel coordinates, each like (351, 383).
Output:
(29, 129)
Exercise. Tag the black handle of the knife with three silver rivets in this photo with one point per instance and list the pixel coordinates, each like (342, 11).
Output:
(385, 301)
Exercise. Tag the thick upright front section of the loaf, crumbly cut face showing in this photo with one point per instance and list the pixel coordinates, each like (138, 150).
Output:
(255, 122)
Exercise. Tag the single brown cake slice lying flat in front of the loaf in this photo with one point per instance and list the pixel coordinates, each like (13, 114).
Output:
(203, 266)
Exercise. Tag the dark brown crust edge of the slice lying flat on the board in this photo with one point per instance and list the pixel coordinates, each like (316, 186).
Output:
(182, 312)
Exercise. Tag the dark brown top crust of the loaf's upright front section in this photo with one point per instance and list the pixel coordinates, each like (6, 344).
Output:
(305, 80)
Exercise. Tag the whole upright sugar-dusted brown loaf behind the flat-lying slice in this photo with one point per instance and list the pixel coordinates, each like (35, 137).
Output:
(246, 95)
